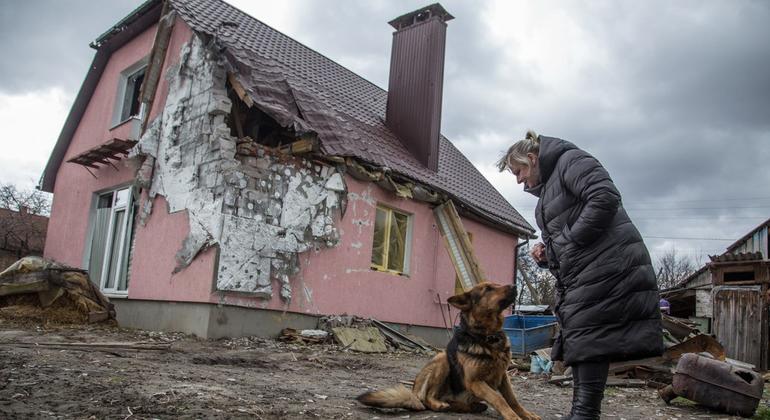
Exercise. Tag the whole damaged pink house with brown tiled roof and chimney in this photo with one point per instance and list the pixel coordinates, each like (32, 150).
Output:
(216, 177)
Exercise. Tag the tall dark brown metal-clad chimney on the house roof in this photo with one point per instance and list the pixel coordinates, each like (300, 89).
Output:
(416, 81)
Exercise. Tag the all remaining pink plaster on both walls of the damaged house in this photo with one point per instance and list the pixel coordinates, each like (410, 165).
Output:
(332, 281)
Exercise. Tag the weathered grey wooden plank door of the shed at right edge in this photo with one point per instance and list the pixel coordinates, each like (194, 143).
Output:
(738, 321)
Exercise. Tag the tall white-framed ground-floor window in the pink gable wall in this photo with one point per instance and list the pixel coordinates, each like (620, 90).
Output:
(111, 240)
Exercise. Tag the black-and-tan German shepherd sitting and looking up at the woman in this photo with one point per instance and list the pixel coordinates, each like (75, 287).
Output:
(473, 367)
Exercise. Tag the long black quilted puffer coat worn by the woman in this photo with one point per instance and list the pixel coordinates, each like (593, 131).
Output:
(607, 296)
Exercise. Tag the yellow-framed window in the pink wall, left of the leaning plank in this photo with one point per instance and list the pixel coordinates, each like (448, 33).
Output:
(390, 247)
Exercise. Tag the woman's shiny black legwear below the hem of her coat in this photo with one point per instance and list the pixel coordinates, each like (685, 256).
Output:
(588, 382)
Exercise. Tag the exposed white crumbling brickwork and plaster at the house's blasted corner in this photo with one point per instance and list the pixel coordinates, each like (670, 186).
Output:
(261, 208)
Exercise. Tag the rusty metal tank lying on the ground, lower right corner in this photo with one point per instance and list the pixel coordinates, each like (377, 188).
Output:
(717, 385)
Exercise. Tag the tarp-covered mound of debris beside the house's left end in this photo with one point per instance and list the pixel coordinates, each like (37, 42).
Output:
(37, 289)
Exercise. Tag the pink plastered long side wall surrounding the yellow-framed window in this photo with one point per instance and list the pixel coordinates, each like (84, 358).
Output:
(338, 280)
